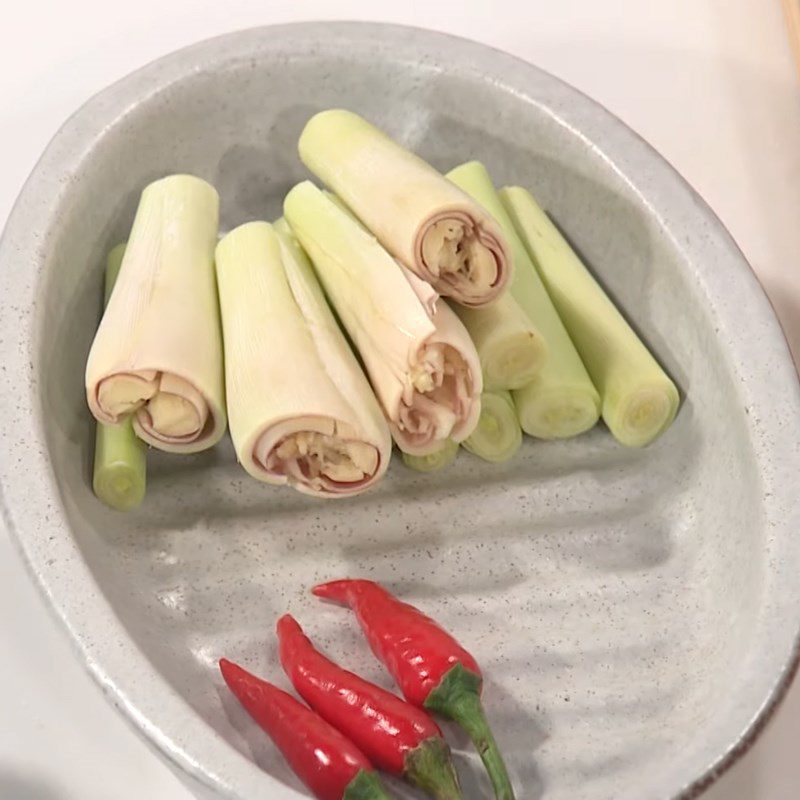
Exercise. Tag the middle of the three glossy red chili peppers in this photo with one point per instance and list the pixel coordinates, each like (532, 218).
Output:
(395, 736)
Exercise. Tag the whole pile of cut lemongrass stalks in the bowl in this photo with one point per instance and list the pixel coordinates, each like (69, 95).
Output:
(396, 304)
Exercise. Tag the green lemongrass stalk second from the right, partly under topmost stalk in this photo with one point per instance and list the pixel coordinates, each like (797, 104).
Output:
(561, 400)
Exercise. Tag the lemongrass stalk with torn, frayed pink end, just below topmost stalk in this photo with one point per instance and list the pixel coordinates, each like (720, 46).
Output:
(424, 369)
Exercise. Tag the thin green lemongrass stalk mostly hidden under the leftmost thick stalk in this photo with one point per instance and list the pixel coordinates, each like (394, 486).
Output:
(120, 464)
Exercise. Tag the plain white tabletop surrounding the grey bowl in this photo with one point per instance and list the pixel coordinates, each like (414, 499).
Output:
(710, 83)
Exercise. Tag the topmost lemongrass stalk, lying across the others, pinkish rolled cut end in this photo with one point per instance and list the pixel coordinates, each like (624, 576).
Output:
(421, 218)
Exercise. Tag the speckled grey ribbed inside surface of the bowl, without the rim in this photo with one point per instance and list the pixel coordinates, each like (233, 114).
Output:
(612, 596)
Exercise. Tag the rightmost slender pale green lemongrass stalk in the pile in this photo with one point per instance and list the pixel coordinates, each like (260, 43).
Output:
(639, 399)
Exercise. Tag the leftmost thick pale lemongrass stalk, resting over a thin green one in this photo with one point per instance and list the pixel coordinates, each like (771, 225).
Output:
(158, 351)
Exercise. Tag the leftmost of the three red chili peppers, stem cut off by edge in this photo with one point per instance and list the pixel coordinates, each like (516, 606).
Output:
(330, 765)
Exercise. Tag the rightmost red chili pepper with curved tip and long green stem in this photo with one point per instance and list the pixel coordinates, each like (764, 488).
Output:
(431, 668)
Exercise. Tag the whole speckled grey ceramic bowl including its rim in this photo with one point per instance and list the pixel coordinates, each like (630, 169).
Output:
(636, 612)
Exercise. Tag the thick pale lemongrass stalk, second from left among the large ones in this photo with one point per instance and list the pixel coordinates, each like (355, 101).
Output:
(301, 411)
